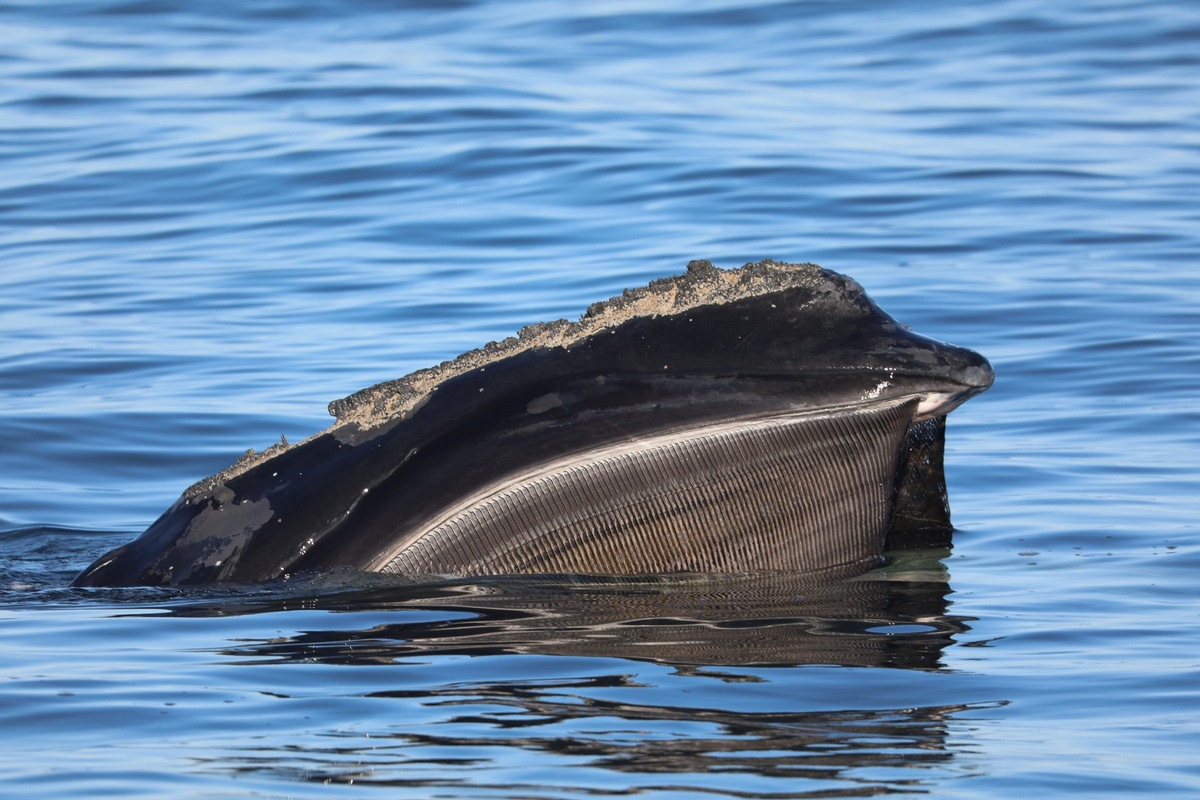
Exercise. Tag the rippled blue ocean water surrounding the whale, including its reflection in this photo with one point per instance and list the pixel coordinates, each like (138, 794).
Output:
(217, 218)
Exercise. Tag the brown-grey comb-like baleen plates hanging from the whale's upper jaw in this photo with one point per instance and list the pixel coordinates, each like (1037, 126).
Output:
(805, 494)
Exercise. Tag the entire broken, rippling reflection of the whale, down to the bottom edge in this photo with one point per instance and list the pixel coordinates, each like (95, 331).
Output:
(729, 630)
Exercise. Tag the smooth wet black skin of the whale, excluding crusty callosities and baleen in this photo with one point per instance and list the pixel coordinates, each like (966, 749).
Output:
(340, 498)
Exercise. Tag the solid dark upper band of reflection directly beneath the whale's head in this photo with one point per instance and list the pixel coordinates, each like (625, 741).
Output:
(887, 618)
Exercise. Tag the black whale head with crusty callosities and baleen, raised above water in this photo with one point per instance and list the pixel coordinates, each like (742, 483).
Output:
(764, 419)
